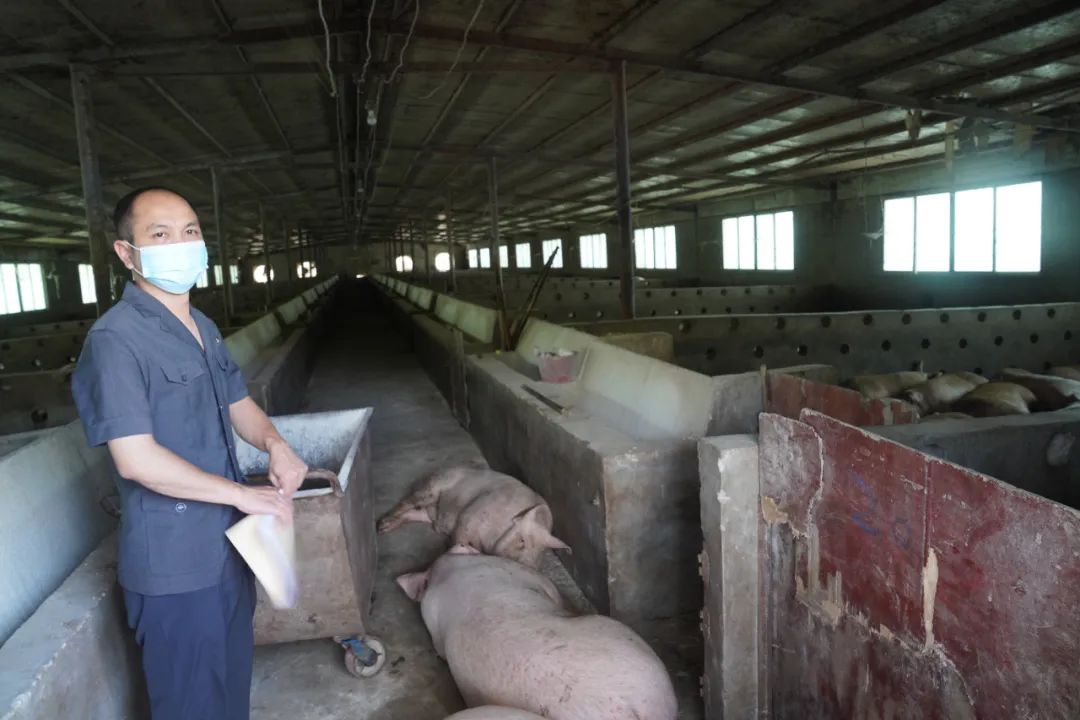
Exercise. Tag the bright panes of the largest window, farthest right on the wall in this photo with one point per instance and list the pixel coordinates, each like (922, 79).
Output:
(980, 230)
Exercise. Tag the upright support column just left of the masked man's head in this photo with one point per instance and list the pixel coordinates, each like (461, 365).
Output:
(97, 225)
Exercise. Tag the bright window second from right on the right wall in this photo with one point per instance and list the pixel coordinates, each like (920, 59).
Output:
(760, 242)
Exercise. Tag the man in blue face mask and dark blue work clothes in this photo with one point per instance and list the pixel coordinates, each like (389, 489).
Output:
(156, 383)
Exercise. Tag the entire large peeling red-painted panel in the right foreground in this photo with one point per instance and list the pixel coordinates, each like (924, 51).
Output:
(997, 569)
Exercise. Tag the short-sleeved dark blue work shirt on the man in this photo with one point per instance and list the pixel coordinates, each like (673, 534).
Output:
(142, 372)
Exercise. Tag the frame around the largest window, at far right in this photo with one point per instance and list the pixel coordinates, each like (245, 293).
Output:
(952, 191)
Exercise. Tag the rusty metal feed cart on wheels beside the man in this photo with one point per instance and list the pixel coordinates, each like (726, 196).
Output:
(335, 537)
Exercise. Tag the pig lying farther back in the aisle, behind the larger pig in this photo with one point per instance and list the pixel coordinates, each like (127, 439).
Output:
(492, 512)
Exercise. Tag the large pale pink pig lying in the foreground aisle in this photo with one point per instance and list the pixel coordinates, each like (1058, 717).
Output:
(509, 642)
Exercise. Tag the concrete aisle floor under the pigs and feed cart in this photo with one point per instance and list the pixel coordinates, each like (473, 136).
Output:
(413, 433)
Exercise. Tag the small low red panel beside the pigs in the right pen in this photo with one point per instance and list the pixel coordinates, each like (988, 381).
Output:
(789, 395)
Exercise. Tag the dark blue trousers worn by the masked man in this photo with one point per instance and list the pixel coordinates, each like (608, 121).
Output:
(197, 649)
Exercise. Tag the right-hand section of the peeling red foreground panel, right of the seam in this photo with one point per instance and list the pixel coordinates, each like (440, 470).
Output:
(1007, 608)
